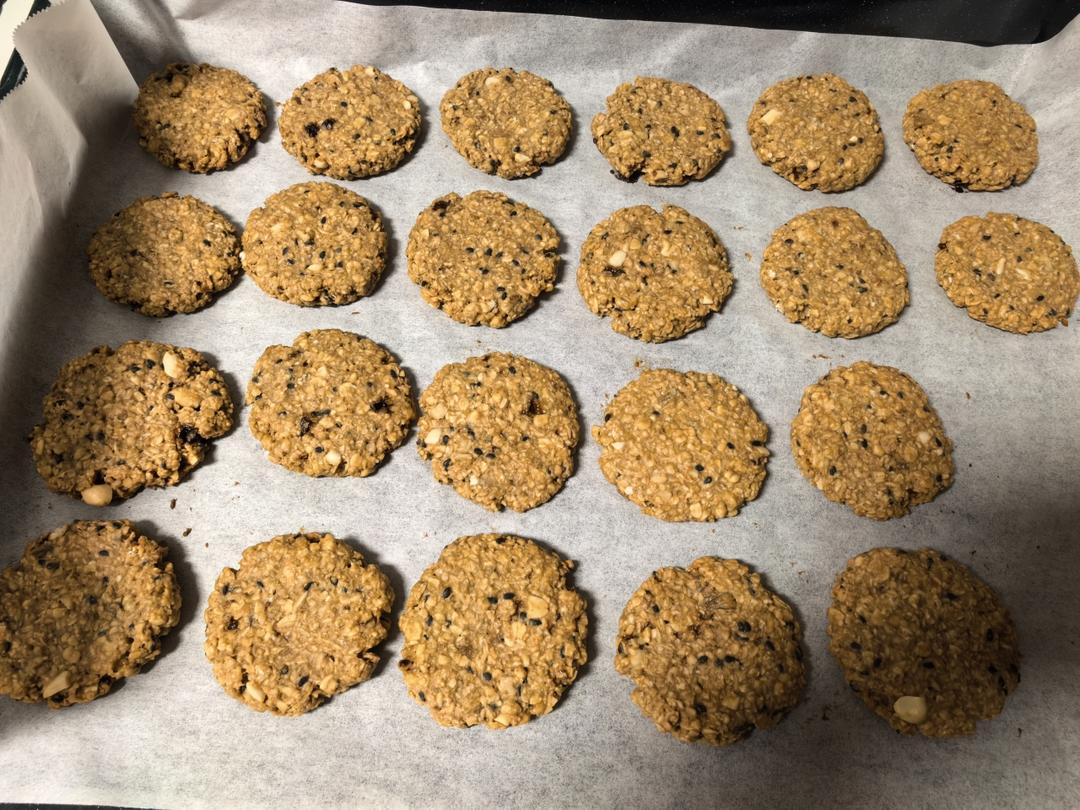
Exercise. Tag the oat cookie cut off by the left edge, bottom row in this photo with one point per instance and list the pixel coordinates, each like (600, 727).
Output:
(84, 607)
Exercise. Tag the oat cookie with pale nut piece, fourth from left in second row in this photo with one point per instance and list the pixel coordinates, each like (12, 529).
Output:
(656, 275)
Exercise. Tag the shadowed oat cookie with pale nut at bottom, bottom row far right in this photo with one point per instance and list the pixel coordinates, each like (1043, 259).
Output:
(923, 641)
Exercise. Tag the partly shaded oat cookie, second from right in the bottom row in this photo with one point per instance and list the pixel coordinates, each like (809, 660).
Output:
(713, 654)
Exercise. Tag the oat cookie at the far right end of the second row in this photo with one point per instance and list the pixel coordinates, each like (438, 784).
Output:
(1009, 273)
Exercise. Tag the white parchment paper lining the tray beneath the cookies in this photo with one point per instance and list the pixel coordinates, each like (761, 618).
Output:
(172, 738)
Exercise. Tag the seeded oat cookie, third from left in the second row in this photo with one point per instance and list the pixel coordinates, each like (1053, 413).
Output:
(482, 259)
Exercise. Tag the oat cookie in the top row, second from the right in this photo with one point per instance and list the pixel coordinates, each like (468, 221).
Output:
(818, 132)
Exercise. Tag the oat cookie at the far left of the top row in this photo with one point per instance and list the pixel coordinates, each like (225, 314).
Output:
(198, 118)
